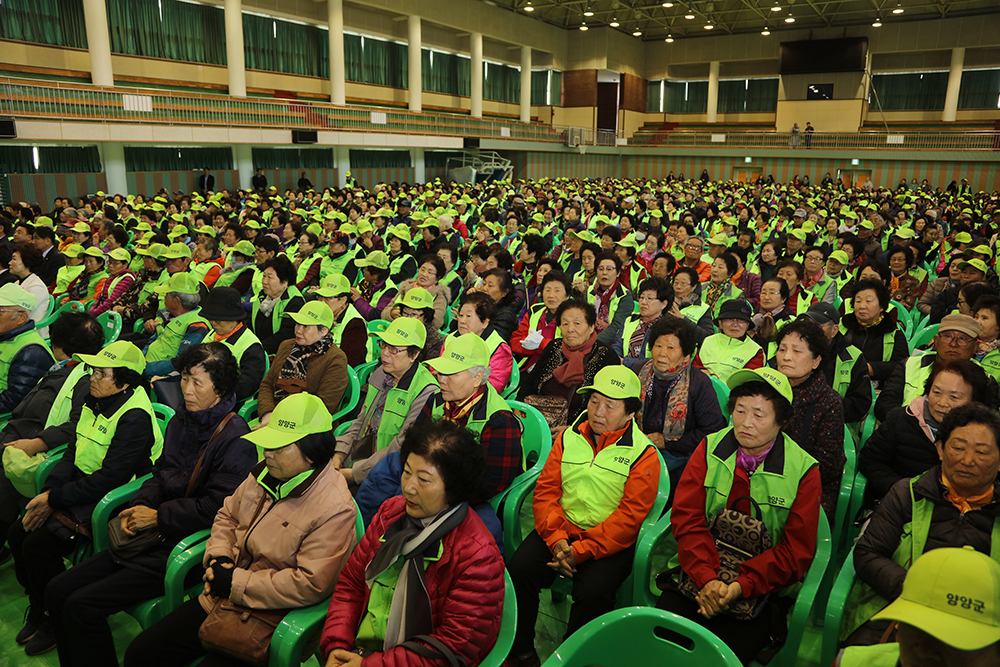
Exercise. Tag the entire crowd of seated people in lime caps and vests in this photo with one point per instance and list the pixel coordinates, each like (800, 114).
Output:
(686, 345)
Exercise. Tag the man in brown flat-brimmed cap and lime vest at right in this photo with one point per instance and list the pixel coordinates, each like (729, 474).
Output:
(957, 338)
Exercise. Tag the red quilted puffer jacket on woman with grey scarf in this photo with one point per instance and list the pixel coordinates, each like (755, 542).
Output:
(466, 591)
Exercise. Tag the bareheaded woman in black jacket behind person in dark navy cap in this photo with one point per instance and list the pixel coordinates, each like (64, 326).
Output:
(874, 330)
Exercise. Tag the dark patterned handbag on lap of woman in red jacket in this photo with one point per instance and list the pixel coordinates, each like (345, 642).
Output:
(738, 538)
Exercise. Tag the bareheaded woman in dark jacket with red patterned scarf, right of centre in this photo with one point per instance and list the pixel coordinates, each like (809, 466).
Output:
(679, 405)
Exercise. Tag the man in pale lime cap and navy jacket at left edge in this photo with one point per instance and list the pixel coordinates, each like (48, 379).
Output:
(24, 356)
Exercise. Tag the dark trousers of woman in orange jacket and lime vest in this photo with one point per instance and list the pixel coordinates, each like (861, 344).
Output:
(595, 586)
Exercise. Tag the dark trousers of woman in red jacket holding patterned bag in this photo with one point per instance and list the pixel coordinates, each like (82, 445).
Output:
(745, 638)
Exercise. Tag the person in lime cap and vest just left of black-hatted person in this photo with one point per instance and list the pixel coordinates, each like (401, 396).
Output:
(181, 327)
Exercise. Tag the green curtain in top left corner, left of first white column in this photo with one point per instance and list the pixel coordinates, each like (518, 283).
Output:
(56, 22)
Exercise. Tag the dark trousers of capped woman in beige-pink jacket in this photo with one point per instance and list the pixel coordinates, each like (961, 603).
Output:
(173, 642)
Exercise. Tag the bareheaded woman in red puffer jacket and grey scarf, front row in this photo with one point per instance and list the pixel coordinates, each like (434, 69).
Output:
(452, 569)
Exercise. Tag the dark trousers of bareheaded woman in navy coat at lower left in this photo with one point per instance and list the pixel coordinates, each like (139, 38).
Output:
(80, 601)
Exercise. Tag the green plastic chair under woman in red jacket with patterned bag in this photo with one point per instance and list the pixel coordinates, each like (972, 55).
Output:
(643, 593)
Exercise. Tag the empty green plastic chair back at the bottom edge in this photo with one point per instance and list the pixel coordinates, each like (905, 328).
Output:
(634, 636)
